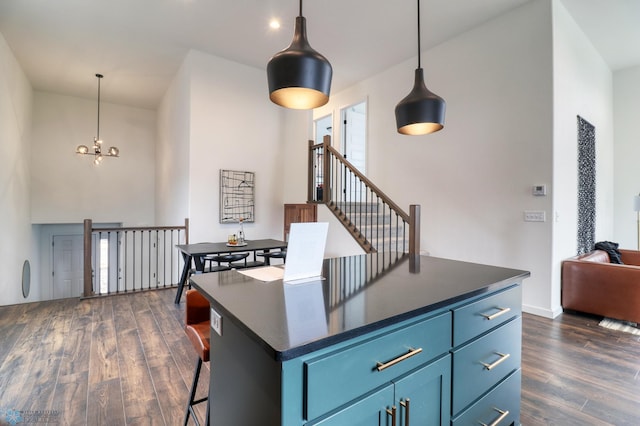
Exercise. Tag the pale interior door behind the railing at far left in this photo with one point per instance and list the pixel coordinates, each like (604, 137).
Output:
(67, 266)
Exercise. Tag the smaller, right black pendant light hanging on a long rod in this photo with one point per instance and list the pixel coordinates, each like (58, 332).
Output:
(421, 111)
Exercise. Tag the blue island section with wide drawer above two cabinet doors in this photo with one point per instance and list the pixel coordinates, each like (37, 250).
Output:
(411, 364)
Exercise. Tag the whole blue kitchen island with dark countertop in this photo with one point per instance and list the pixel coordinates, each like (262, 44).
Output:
(383, 339)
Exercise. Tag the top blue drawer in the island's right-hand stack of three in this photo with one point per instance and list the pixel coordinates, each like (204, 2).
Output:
(482, 315)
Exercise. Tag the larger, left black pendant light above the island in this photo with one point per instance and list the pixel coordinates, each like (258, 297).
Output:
(298, 76)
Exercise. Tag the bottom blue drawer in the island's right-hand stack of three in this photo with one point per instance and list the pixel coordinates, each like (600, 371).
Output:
(503, 401)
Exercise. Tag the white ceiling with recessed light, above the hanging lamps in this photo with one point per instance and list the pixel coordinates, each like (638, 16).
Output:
(139, 45)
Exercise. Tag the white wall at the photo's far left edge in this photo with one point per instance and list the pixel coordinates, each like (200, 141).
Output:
(16, 103)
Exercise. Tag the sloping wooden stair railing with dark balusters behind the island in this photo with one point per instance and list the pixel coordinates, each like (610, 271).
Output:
(369, 215)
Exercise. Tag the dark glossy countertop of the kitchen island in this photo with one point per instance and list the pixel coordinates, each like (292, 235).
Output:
(359, 294)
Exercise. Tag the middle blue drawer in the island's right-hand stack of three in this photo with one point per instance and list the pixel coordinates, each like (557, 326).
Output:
(482, 363)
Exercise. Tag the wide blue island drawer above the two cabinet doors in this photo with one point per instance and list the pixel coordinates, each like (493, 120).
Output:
(337, 378)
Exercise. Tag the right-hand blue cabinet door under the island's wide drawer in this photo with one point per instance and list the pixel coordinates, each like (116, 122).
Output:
(423, 397)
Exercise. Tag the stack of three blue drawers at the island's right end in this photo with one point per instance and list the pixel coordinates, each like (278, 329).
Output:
(486, 361)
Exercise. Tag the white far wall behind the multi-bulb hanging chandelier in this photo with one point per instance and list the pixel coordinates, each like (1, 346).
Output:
(68, 188)
